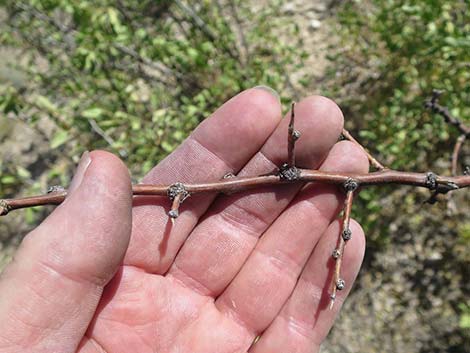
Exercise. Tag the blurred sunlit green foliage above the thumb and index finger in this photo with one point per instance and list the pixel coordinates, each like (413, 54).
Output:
(135, 77)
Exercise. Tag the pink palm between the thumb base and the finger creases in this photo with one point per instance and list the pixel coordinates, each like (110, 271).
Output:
(143, 312)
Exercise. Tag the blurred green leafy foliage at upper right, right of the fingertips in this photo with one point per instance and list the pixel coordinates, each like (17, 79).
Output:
(392, 55)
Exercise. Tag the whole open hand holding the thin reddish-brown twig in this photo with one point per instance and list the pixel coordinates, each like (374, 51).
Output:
(108, 273)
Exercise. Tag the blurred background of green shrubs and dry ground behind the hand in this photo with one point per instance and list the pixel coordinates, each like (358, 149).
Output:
(135, 77)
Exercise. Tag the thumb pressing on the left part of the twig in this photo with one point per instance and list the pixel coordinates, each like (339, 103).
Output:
(50, 291)
